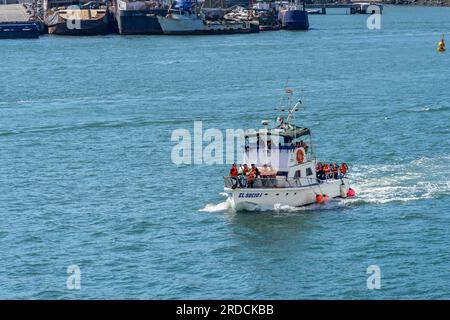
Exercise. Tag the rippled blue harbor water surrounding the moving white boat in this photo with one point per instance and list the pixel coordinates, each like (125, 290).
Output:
(87, 178)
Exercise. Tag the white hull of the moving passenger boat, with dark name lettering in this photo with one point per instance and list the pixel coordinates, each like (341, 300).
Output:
(250, 199)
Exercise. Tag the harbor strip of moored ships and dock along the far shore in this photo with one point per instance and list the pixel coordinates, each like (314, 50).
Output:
(156, 17)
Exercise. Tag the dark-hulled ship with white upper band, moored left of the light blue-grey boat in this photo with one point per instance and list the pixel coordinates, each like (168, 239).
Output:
(139, 17)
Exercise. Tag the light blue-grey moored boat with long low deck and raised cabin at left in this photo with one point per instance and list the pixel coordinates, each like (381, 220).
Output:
(188, 18)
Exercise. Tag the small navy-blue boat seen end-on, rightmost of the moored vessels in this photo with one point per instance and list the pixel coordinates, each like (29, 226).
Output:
(293, 16)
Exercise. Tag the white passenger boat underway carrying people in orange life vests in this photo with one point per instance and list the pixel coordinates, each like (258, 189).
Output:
(289, 174)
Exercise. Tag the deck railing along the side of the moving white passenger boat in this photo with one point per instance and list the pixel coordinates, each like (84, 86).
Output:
(269, 182)
